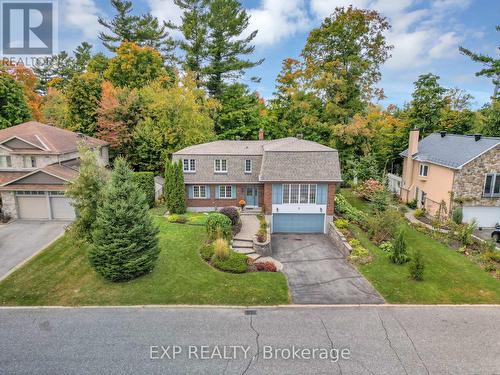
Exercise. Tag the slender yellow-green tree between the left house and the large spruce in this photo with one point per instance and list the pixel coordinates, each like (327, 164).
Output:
(86, 192)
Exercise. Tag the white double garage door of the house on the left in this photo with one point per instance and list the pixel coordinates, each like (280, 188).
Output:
(44, 206)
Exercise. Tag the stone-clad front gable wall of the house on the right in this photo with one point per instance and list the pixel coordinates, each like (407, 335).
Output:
(469, 181)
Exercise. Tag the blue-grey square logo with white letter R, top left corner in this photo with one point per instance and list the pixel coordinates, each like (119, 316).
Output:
(27, 27)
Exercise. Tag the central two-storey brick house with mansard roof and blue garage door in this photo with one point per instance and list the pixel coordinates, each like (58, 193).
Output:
(291, 179)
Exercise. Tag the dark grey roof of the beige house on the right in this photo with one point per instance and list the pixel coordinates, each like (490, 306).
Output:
(452, 150)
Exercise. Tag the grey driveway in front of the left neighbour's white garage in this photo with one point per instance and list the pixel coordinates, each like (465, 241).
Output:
(21, 239)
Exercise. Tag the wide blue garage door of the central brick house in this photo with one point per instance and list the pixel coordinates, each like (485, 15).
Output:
(298, 223)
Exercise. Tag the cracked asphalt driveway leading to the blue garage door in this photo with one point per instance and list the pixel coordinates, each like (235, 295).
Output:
(318, 273)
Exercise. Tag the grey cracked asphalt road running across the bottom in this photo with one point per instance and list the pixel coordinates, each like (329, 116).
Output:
(380, 339)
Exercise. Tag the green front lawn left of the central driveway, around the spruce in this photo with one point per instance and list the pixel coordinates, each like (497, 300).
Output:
(61, 275)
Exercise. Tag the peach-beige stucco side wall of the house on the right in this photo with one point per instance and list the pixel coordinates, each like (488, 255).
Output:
(438, 185)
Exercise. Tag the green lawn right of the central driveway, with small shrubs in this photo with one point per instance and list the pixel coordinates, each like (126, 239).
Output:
(448, 278)
